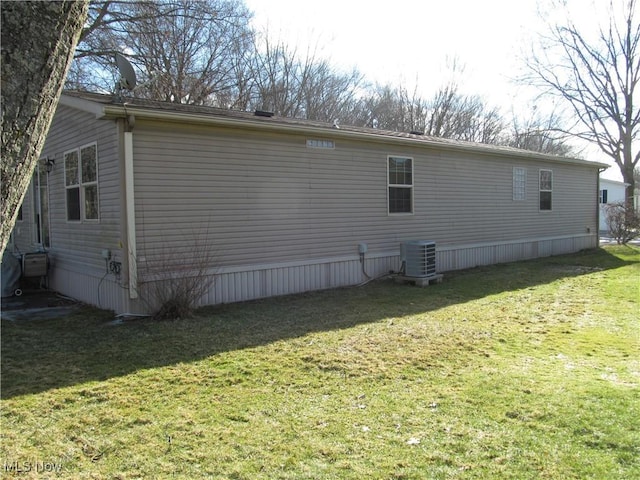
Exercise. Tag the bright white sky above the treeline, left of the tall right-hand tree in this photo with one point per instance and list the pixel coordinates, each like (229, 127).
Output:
(413, 42)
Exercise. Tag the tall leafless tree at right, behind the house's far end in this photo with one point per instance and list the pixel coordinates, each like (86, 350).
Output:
(597, 78)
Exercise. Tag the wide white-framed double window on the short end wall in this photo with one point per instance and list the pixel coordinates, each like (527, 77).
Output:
(81, 183)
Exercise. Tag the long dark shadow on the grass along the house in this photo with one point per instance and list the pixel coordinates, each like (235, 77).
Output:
(86, 345)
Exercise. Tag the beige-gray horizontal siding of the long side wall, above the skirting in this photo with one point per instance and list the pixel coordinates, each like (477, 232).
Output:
(266, 198)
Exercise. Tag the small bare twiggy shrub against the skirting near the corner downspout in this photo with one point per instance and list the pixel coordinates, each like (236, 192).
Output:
(175, 278)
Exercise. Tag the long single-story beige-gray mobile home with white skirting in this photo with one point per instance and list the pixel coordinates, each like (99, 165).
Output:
(286, 205)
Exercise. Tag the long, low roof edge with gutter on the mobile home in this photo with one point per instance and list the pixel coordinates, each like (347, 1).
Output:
(110, 106)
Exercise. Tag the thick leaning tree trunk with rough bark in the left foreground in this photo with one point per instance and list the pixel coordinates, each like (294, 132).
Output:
(38, 41)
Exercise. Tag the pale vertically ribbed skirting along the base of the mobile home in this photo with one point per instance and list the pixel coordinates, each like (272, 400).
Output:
(236, 284)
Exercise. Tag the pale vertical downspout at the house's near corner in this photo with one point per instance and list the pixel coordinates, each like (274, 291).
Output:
(130, 206)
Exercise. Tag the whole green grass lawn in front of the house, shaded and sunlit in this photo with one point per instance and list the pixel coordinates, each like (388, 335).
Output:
(524, 370)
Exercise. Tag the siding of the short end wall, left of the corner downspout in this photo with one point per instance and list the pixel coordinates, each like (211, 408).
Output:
(78, 267)
